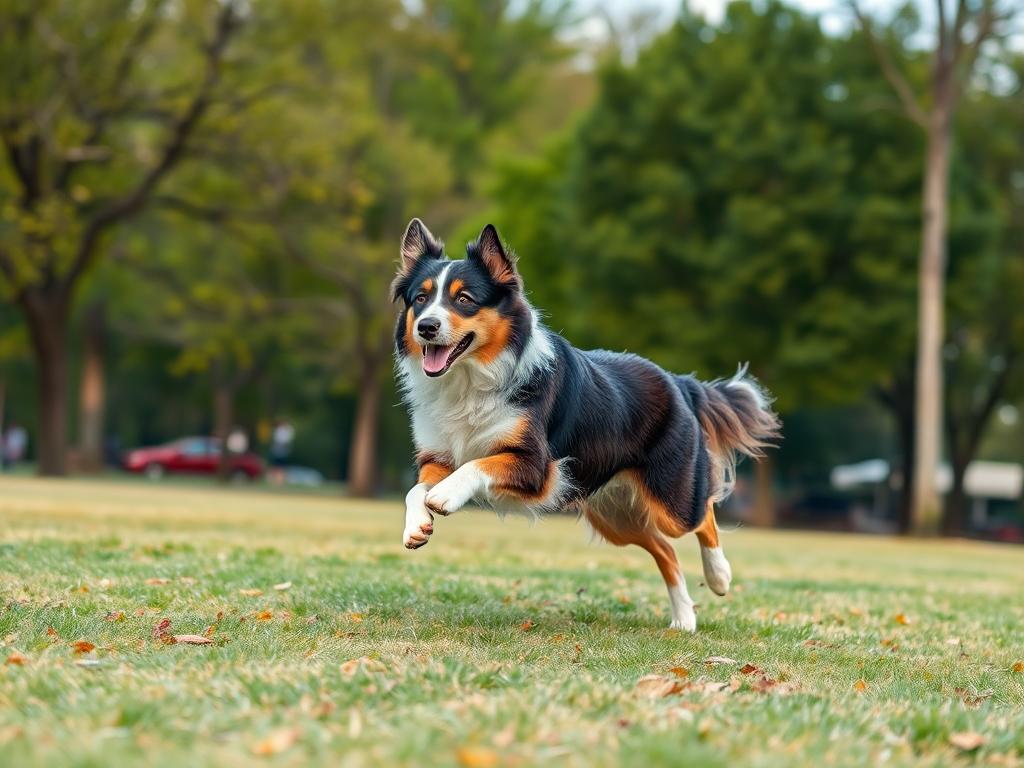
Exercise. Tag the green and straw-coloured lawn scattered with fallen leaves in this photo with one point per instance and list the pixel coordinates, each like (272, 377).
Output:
(500, 644)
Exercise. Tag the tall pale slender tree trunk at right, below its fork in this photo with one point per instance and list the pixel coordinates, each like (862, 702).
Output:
(931, 298)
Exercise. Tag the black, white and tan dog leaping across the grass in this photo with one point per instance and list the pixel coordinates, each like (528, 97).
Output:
(508, 414)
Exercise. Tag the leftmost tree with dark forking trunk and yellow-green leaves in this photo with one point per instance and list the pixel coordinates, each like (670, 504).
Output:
(89, 142)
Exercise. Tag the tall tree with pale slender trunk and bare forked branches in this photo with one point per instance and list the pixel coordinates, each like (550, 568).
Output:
(959, 44)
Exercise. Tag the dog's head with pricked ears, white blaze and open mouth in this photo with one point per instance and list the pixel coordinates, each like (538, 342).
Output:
(457, 311)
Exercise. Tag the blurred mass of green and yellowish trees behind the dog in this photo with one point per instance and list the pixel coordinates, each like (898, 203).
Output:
(200, 206)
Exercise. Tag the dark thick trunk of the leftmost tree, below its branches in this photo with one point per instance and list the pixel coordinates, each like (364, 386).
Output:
(47, 316)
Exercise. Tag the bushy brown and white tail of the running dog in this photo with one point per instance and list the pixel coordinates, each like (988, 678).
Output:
(737, 418)
